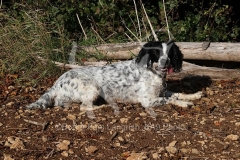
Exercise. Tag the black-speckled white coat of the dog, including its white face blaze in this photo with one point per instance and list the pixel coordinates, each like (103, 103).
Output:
(120, 82)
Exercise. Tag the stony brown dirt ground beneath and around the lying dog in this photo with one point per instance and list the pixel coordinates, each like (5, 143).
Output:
(208, 130)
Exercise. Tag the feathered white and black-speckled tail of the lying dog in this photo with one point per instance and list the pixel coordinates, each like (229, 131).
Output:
(45, 101)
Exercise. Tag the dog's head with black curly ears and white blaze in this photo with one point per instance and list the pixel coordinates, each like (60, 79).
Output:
(167, 56)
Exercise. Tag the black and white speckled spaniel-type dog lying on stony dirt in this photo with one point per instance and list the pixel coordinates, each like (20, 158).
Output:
(134, 81)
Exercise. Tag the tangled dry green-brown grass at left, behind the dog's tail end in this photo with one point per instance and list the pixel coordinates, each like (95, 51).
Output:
(21, 41)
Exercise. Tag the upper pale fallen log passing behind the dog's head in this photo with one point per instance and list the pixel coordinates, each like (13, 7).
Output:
(218, 51)
